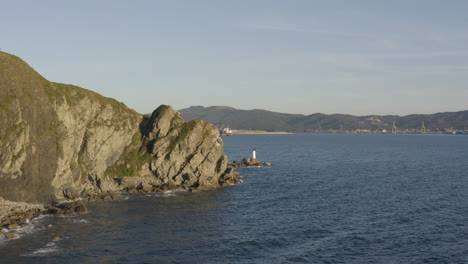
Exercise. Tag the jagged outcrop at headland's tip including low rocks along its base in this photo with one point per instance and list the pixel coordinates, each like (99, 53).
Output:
(174, 153)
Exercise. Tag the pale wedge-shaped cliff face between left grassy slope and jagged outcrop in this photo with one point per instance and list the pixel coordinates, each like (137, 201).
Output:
(93, 133)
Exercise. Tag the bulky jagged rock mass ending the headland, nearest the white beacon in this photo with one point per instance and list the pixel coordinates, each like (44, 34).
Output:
(189, 154)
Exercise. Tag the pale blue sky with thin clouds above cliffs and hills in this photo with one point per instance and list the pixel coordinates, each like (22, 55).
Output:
(355, 57)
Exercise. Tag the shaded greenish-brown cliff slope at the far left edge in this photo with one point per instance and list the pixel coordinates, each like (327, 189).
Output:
(28, 133)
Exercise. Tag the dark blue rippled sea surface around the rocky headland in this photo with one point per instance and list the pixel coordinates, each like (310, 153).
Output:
(327, 198)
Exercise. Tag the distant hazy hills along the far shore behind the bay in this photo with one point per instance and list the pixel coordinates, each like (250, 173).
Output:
(272, 121)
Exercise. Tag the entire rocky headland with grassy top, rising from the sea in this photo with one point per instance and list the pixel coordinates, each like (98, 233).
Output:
(61, 141)
